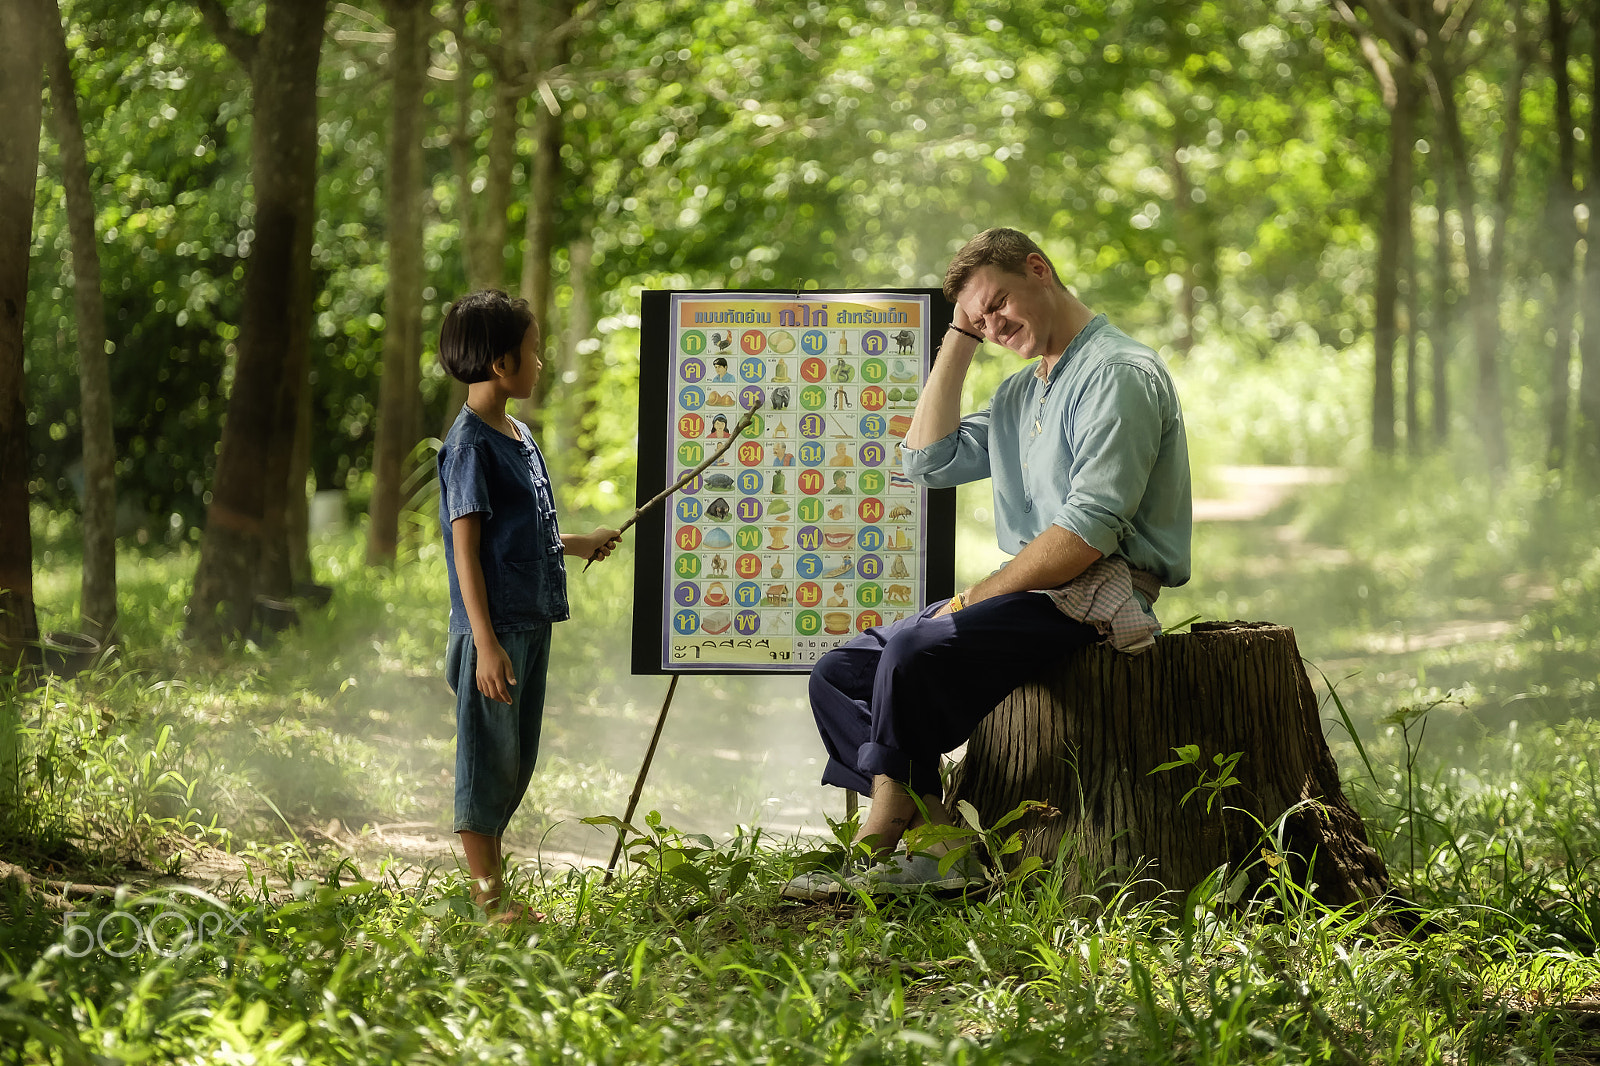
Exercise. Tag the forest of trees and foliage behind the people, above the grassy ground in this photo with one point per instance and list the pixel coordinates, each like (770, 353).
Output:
(1362, 230)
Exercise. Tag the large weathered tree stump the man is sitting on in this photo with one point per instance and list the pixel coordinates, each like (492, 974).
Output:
(1087, 737)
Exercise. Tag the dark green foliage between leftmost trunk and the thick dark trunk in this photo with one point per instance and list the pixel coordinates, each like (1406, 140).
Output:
(164, 116)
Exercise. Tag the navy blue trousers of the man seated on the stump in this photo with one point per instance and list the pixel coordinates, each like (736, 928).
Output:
(898, 697)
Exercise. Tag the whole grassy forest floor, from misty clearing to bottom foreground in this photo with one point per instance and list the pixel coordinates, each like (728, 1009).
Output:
(1478, 772)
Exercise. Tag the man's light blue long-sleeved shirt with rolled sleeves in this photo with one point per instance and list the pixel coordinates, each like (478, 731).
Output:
(1098, 449)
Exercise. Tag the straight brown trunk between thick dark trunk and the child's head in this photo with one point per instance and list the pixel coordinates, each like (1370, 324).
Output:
(404, 297)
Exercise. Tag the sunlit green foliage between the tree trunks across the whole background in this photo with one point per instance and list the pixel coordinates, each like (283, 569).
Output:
(1228, 153)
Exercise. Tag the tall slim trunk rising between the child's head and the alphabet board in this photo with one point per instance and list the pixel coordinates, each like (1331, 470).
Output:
(546, 186)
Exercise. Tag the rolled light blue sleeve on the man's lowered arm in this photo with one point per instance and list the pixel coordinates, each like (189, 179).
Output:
(1114, 439)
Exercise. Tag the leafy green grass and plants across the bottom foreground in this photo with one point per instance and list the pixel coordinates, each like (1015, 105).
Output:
(324, 968)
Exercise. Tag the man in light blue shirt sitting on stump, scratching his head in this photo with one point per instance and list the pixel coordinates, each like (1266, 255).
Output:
(1092, 499)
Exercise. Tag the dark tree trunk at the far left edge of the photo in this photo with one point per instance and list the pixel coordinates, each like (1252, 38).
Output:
(23, 28)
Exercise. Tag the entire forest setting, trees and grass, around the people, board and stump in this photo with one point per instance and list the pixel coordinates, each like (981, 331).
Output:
(1358, 233)
